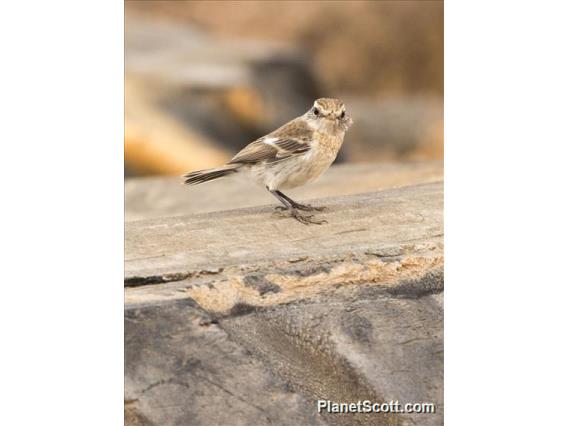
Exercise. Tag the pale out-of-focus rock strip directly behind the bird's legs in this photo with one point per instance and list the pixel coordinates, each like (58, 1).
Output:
(155, 197)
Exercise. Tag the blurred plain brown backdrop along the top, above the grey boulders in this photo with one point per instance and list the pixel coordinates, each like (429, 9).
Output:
(365, 48)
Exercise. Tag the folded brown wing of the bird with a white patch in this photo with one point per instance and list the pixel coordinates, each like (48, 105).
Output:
(288, 141)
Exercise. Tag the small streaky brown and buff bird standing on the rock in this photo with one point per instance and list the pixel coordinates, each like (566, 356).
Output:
(293, 155)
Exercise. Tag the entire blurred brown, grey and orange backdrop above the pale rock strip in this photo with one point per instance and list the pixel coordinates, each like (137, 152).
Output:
(203, 79)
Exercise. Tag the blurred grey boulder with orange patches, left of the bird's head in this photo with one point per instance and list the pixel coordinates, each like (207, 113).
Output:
(217, 95)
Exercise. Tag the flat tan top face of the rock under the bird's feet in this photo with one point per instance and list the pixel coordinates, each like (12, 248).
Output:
(174, 248)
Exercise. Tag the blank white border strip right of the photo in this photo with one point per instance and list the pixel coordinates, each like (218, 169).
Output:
(505, 190)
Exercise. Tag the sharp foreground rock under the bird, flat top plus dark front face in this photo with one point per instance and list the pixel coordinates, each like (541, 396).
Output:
(248, 317)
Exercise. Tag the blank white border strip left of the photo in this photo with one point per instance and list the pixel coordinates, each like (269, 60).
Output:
(61, 309)
